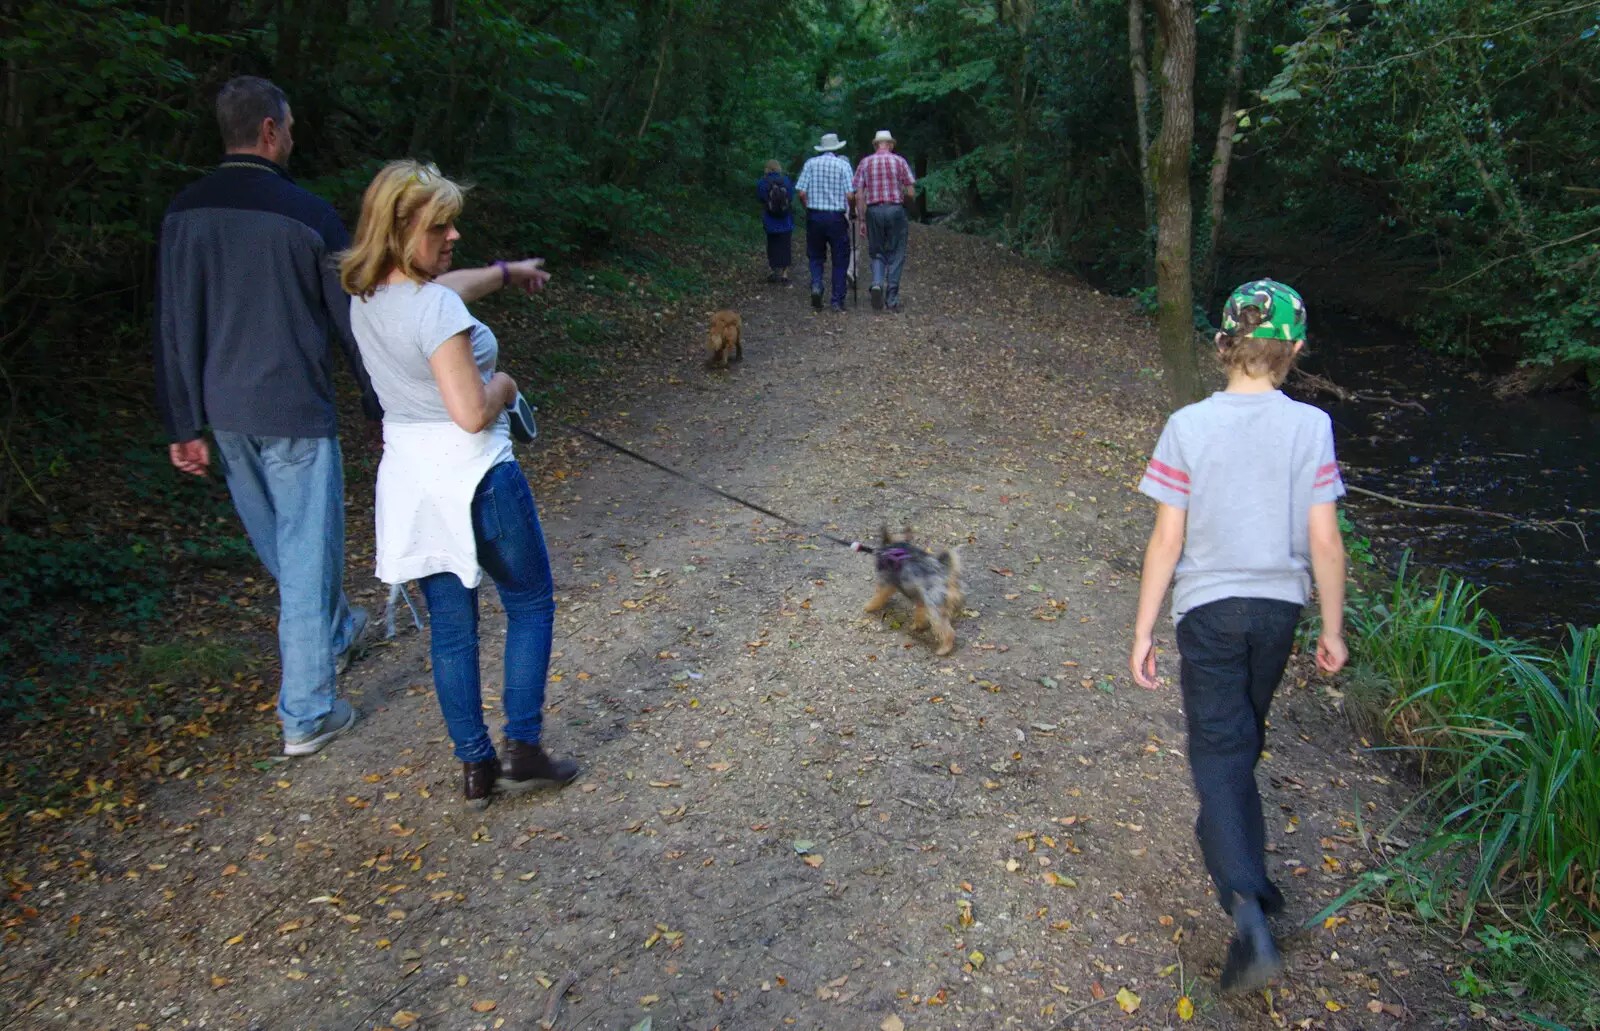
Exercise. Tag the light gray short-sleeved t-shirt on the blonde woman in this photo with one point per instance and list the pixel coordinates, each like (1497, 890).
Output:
(399, 329)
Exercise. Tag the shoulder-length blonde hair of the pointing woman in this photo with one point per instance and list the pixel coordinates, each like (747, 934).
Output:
(402, 199)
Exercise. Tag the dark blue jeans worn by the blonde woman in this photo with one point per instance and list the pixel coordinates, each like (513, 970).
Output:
(511, 552)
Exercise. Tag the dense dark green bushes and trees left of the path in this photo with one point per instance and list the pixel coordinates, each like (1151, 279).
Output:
(582, 124)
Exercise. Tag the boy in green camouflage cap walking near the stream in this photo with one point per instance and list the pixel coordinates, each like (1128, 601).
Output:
(1246, 484)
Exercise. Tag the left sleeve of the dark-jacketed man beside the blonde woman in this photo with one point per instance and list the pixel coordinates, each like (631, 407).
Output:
(180, 340)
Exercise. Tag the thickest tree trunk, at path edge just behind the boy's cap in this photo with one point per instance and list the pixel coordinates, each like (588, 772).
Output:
(1174, 207)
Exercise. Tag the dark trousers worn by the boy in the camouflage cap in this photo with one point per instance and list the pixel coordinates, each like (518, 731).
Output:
(1234, 652)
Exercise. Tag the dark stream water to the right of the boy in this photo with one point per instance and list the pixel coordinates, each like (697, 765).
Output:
(1535, 459)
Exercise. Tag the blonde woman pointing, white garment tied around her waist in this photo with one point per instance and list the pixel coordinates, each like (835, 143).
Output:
(452, 502)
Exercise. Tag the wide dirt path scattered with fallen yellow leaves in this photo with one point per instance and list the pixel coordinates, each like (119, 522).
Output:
(996, 840)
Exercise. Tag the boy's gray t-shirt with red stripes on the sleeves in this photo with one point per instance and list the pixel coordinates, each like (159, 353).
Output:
(1247, 468)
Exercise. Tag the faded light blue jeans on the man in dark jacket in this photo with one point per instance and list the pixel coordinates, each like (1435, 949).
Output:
(290, 495)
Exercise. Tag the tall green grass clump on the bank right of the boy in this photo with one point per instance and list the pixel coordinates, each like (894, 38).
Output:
(1508, 744)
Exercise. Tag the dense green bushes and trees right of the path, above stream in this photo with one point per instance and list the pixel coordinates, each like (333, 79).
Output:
(1447, 143)
